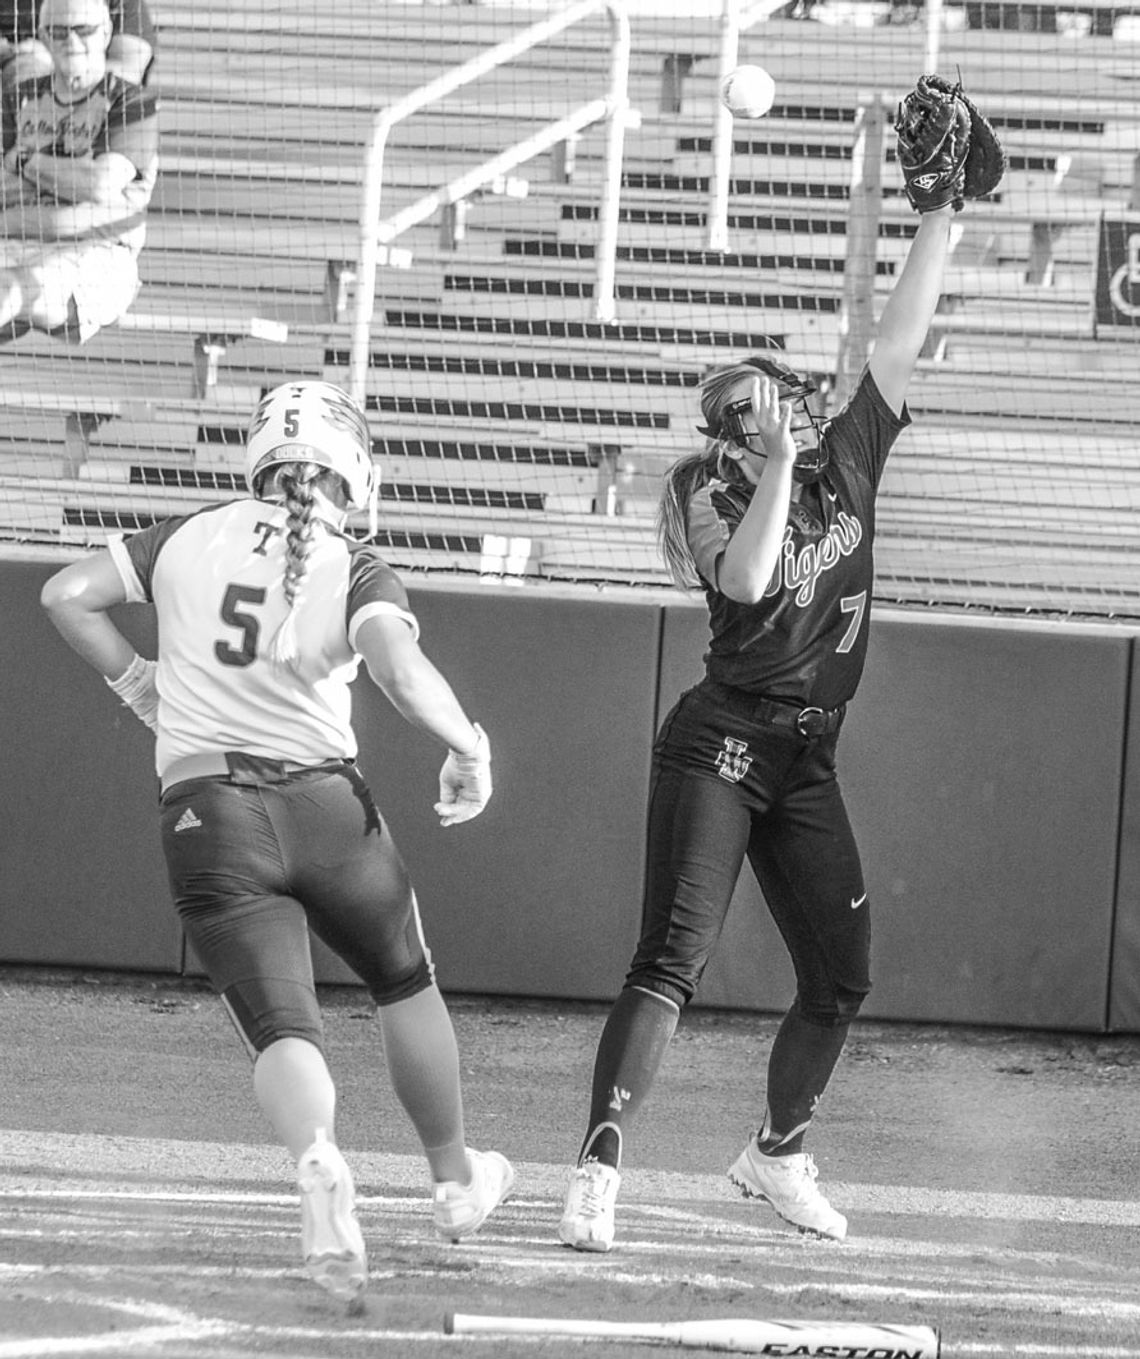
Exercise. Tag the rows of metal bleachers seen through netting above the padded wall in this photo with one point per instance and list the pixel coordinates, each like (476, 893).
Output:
(521, 421)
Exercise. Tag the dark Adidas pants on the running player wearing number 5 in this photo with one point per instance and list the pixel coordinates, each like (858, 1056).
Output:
(255, 866)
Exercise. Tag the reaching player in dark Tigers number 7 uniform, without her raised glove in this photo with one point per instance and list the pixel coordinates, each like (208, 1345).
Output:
(775, 521)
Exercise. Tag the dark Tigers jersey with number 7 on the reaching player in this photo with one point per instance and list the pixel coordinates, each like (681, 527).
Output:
(806, 641)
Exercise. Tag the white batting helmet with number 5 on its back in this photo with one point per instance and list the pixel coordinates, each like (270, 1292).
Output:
(312, 422)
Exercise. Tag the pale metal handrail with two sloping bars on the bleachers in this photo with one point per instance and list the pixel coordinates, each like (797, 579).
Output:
(615, 108)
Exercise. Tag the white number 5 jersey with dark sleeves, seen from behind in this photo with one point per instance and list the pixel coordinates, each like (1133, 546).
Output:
(217, 582)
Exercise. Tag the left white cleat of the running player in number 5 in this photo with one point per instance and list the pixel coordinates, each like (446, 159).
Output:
(331, 1239)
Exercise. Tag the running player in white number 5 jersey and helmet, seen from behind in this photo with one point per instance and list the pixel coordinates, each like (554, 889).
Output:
(266, 610)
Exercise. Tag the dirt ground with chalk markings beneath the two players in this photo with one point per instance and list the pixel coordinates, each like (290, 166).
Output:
(988, 1176)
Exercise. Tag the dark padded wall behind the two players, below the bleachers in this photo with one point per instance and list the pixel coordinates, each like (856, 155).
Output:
(991, 770)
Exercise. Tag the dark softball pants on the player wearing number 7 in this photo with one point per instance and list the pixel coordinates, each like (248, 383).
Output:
(728, 786)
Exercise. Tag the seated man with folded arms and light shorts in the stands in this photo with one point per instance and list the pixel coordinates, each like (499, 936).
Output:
(81, 161)
